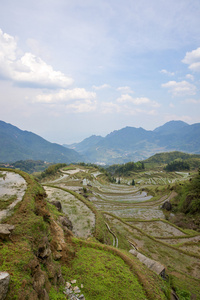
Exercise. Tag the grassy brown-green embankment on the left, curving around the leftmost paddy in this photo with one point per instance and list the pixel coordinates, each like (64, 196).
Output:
(30, 227)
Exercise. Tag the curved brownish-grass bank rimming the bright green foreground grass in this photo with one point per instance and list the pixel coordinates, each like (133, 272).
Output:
(148, 282)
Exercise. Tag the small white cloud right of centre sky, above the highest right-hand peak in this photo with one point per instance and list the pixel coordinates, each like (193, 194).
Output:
(182, 88)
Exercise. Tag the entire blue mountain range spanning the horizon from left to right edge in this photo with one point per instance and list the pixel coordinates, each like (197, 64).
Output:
(120, 146)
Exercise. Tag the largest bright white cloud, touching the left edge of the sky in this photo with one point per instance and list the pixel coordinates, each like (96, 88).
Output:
(28, 70)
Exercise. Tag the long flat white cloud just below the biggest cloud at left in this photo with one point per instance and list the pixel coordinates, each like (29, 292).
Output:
(64, 96)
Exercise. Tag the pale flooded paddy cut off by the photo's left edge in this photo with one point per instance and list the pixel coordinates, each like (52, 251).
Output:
(11, 184)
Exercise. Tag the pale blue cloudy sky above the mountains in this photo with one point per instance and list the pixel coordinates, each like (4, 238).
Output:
(71, 69)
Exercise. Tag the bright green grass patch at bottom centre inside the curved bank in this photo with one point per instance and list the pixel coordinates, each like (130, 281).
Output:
(104, 276)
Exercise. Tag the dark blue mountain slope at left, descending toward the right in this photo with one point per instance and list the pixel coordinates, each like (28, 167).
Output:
(16, 144)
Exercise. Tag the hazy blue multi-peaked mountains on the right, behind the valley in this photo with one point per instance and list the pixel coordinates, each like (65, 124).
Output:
(134, 144)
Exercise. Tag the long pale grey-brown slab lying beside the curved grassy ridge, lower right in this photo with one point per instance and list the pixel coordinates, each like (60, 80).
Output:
(150, 263)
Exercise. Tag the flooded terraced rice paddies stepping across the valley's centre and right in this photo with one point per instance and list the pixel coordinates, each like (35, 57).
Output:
(133, 219)
